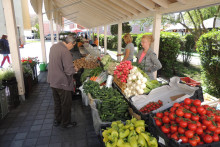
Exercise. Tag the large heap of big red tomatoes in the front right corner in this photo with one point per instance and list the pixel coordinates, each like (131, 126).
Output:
(191, 122)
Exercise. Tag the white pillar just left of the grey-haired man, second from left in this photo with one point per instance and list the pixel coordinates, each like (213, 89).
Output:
(41, 27)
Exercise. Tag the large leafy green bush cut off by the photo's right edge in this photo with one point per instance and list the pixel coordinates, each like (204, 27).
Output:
(208, 47)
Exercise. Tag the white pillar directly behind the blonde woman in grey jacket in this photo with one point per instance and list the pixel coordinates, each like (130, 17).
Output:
(156, 35)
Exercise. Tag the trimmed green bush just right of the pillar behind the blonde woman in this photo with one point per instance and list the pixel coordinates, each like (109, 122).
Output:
(169, 50)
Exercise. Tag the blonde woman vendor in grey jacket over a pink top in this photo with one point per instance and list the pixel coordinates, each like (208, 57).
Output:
(147, 58)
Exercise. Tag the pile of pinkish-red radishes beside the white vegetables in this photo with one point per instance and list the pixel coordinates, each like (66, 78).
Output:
(122, 70)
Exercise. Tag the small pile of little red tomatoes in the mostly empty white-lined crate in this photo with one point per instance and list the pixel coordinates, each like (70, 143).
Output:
(151, 106)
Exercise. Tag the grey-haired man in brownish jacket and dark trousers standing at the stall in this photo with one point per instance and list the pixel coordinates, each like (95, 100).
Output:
(60, 78)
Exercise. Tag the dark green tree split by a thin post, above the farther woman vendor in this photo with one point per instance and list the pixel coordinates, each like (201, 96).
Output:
(126, 28)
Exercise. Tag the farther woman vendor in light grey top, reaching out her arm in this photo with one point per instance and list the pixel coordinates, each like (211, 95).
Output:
(129, 49)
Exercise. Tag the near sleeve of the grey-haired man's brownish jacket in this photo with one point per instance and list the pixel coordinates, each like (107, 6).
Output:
(67, 63)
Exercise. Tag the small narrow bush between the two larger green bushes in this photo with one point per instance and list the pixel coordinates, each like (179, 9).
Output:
(188, 44)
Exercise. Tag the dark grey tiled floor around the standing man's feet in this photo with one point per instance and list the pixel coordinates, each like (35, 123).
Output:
(31, 123)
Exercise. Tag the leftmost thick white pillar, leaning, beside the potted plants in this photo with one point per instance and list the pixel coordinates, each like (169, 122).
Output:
(13, 42)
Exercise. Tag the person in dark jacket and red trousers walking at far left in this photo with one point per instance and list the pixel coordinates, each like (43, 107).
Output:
(4, 49)
